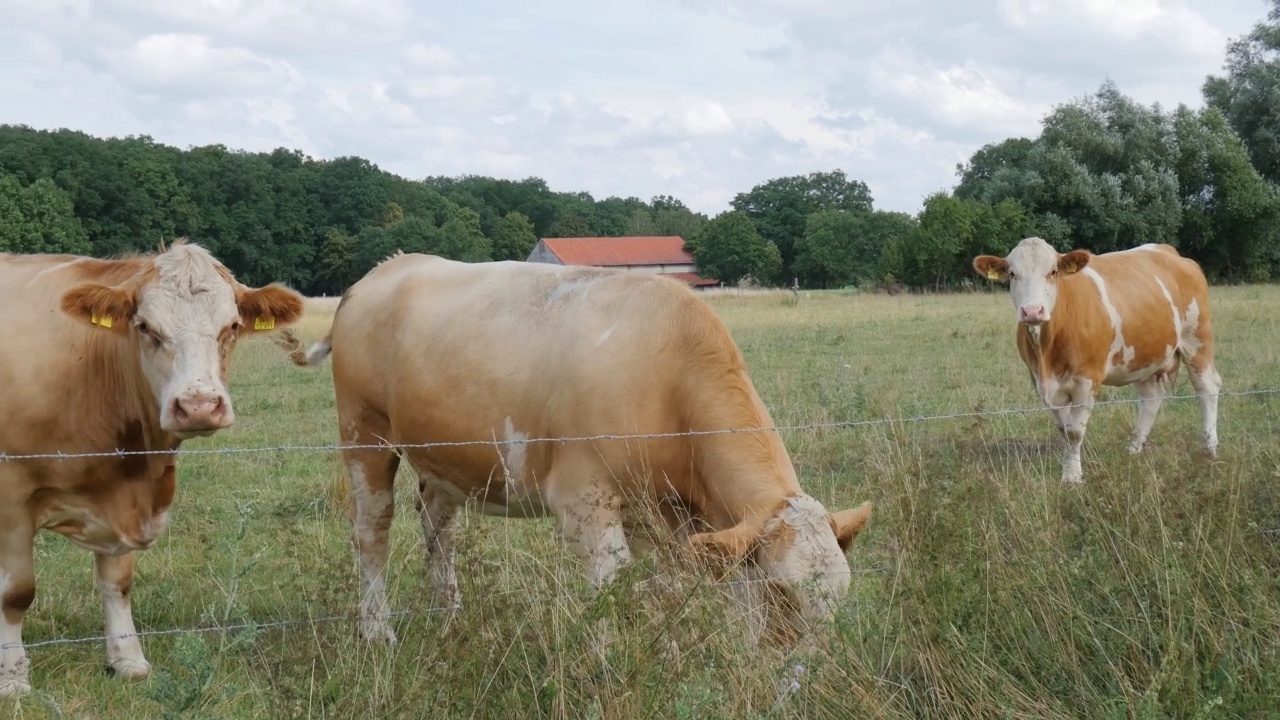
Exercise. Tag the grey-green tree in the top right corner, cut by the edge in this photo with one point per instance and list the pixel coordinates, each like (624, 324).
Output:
(1247, 95)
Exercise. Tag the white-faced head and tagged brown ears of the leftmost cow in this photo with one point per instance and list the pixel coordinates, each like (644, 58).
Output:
(184, 312)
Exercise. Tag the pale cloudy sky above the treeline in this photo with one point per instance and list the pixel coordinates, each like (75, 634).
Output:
(698, 99)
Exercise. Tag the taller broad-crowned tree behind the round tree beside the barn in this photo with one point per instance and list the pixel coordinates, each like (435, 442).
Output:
(781, 207)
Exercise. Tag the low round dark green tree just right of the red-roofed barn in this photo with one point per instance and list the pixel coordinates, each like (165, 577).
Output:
(729, 248)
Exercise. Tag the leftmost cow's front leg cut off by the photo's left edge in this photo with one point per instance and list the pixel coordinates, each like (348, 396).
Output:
(17, 594)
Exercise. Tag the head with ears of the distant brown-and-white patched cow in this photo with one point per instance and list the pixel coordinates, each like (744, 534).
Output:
(1032, 271)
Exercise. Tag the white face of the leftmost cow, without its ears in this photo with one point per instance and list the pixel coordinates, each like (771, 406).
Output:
(182, 321)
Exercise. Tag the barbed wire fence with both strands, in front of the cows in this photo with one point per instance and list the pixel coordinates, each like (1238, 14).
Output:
(433, 610)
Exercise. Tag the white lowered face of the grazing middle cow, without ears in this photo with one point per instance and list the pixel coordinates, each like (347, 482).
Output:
(806, 559)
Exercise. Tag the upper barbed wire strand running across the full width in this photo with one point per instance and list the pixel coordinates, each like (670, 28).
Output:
(833, 425)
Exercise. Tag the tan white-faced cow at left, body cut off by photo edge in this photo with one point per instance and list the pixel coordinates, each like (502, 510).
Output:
(104, 357)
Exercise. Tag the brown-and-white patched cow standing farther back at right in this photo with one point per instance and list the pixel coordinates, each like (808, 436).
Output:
(1122, 318)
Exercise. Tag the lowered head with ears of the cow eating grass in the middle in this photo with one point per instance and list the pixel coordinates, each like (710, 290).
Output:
(799, 552)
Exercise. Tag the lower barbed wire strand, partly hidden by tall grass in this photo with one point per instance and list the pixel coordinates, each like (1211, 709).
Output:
(353, 618)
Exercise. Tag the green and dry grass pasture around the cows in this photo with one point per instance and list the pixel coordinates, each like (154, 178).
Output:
(985, 587)
